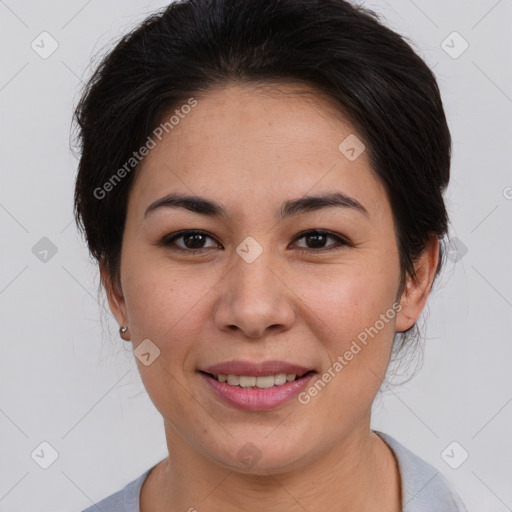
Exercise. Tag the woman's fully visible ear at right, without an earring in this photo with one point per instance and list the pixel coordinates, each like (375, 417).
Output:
(417, 290)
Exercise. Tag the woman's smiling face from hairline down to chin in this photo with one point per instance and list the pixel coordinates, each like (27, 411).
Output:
(272, 278)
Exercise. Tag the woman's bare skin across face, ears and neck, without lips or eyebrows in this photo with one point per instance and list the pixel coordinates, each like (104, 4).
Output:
(250, 149)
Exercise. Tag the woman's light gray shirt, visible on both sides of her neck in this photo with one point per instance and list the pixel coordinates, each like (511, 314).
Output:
(424, 489)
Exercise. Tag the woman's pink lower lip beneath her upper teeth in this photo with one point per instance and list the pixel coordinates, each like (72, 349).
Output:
(257, 399)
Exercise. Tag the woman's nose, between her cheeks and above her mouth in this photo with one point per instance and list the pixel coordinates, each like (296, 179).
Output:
(254, 297)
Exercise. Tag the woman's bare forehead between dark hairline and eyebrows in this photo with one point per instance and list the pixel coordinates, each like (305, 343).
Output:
(264, 142)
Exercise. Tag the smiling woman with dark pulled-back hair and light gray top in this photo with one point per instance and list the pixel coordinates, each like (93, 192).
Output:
(261, 183)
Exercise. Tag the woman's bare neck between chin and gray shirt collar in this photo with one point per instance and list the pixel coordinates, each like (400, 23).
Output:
(357, 474)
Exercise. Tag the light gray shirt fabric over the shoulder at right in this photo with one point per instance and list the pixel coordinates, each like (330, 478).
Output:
(424, 488)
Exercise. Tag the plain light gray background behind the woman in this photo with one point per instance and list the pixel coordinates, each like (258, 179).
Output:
(68, 380)
